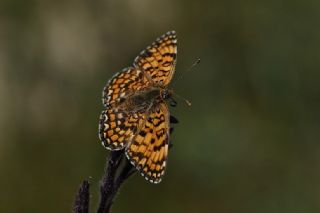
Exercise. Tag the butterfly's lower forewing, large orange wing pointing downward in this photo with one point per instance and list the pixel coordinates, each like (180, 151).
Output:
(149, 148)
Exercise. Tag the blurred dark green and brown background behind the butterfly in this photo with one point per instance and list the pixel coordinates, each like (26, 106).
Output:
(249, 143)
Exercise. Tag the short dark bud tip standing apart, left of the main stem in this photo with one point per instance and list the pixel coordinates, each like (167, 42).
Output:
(81, 204)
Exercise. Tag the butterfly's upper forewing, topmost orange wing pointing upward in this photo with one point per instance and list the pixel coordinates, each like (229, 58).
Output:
(159, 59)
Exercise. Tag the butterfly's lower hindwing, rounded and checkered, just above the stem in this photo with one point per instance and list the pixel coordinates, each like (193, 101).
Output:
(117, 127)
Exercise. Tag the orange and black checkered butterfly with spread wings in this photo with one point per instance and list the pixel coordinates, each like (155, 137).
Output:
(136, 117)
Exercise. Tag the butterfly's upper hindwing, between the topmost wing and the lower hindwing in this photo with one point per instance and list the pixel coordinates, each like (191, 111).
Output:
(124, 83)
